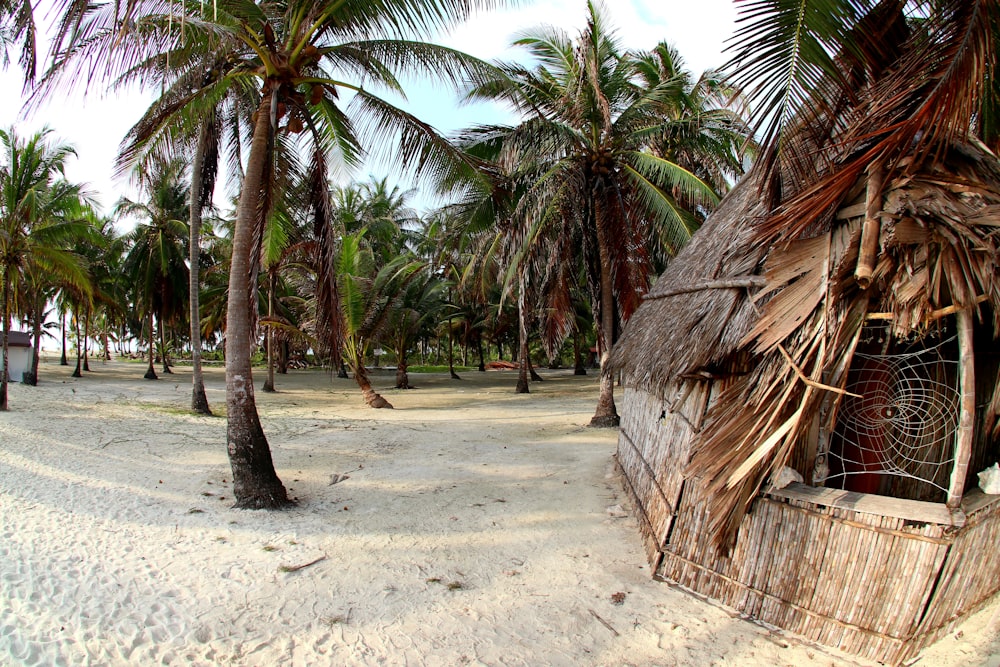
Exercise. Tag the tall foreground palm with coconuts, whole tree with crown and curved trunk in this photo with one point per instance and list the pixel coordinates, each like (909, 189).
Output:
(300, 57)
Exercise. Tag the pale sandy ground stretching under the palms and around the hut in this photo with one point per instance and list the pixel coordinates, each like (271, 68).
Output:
(475, 526)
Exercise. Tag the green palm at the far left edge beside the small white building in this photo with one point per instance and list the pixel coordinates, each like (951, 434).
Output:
(39, 220)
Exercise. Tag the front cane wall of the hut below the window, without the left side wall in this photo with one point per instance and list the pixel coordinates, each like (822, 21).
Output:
(859, 582)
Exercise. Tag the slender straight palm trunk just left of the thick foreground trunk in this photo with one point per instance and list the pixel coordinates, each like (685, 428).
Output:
(199, 400)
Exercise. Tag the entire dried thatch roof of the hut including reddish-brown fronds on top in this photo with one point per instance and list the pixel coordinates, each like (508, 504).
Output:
(879, 203)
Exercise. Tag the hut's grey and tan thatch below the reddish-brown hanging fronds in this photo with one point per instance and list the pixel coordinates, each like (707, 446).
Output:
(797, 307)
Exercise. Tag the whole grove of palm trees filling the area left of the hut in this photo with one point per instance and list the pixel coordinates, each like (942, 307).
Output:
(552, 229)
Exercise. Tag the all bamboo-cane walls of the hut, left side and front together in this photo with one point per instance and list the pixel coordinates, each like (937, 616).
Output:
(875, 576)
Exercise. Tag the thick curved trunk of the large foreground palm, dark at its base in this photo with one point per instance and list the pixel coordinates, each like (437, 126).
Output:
(255, 482)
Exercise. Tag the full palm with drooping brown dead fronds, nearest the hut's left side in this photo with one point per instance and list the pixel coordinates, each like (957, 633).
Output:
(597, 188)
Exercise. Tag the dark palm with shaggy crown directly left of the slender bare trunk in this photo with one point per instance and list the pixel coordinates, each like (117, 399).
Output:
(155, 261)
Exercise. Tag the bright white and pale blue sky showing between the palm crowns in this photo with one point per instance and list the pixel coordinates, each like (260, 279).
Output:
(95, 125)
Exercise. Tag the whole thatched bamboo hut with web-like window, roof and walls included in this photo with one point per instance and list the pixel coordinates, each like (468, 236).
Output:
(811, 387)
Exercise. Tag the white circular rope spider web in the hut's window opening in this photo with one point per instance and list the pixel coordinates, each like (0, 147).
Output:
(903, 420)
